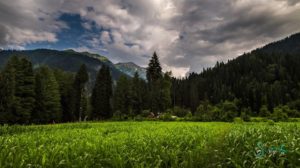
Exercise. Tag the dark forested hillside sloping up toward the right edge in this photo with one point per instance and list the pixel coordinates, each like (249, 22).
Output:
(268, 76)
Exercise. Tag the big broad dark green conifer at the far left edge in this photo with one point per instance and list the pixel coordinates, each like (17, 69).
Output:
(18, 90)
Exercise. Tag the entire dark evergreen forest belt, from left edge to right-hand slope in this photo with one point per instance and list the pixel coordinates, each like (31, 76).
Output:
(264, 83)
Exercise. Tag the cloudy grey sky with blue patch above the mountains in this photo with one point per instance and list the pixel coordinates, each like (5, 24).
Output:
(188, 35)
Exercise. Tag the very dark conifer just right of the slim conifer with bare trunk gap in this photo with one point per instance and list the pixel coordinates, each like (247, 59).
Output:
(101, 95)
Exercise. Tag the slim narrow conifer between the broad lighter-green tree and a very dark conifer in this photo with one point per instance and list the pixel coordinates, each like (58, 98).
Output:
(79, 93)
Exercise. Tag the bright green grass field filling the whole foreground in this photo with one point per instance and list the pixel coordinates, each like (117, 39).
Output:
(151, 144)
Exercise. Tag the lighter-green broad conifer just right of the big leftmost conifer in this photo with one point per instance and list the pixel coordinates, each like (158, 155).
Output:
(47, 107)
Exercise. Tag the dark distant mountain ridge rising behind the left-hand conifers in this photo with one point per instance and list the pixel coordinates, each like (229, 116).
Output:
(68, 60)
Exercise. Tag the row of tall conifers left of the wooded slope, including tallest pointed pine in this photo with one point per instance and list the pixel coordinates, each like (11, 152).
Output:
(44, 95)
